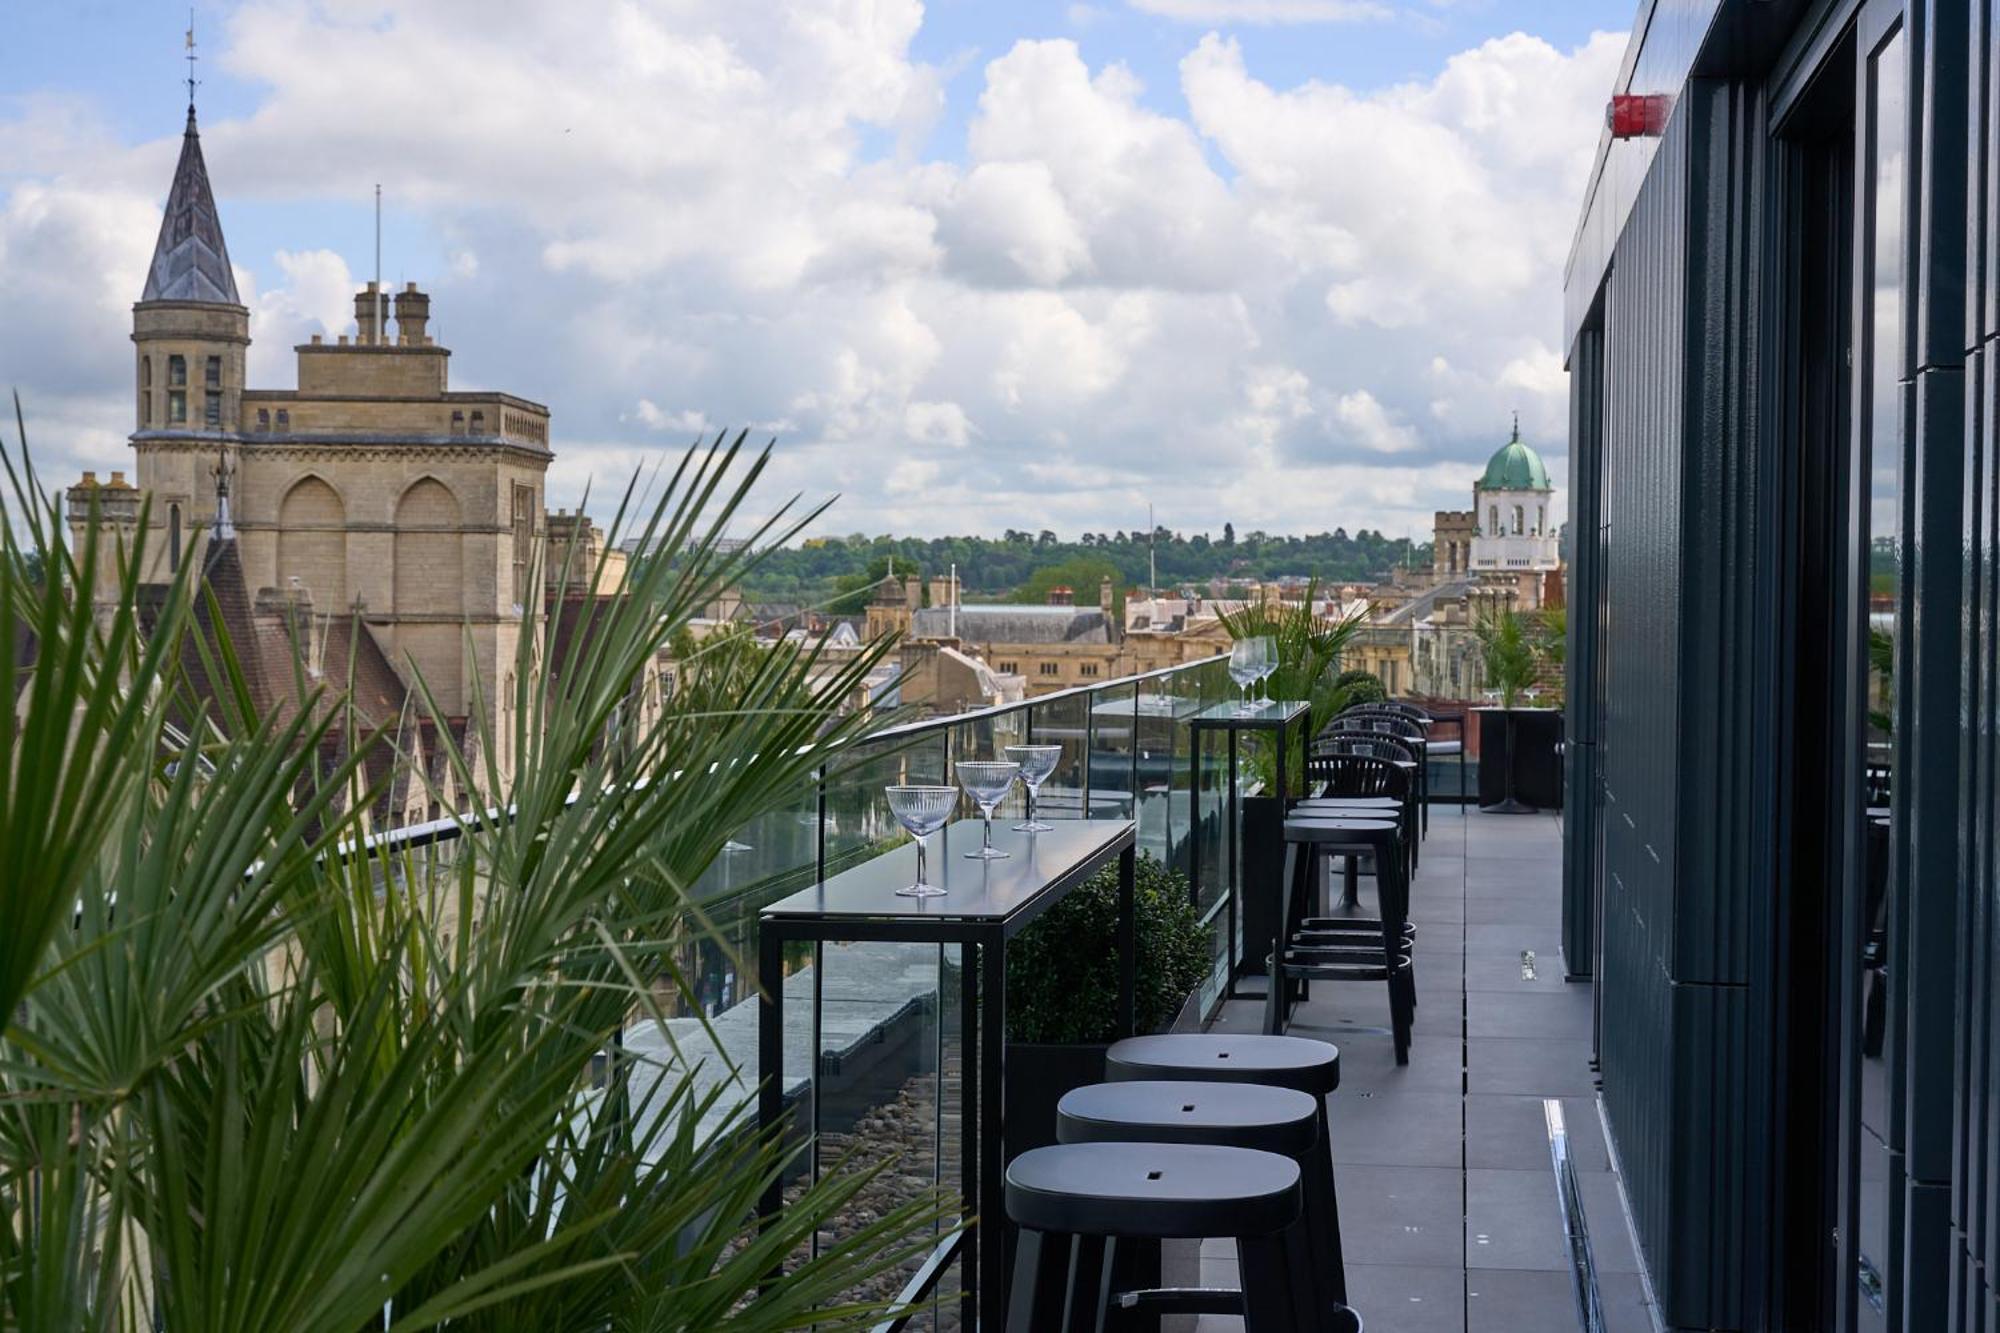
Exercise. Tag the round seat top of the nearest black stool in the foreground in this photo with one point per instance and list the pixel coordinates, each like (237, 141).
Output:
(1153, 1190)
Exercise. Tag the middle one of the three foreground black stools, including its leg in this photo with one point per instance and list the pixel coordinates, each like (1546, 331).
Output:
(1249, 1116)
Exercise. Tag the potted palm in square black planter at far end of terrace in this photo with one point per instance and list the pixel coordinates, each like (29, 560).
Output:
(1521, 768)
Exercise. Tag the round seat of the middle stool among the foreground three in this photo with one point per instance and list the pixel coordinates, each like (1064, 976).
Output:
(1271, 1120)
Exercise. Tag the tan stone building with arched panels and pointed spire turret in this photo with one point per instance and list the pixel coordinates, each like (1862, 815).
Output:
(371, 493)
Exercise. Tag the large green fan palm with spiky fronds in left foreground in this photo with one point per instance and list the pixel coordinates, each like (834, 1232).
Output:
(267, 1072)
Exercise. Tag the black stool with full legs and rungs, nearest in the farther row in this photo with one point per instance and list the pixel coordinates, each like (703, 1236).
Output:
(1337, 956)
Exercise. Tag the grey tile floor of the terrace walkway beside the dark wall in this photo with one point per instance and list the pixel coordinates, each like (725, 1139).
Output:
(1449, 1204)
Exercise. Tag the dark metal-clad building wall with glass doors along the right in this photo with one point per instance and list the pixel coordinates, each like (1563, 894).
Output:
(1783, 333)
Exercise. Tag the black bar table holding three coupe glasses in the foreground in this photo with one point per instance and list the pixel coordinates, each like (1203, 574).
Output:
(985, 906)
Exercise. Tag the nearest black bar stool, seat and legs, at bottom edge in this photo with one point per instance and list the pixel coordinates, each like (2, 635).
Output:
(1069, 1198)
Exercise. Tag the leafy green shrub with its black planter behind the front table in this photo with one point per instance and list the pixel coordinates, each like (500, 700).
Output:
(1063, 990)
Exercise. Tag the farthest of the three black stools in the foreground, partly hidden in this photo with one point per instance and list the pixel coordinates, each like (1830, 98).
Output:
(1299, 1064)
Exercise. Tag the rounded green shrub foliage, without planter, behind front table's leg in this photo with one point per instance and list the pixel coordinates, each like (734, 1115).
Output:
(1063, 972)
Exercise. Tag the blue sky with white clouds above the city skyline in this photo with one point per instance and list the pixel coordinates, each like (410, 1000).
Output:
(975, 265)
